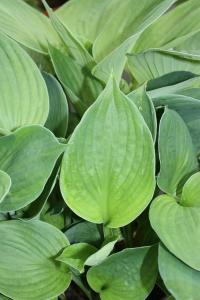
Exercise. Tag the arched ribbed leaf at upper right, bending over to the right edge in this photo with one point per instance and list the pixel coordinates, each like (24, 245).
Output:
(156, 62)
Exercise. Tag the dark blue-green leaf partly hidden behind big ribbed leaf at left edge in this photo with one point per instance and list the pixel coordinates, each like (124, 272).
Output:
(57, 120)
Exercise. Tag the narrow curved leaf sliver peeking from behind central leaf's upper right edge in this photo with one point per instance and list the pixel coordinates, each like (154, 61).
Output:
(145, 106)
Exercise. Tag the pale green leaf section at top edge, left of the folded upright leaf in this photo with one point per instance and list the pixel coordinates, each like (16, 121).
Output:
(87, 24)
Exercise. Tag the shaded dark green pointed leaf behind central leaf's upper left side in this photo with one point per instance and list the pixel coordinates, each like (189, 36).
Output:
(81, 87)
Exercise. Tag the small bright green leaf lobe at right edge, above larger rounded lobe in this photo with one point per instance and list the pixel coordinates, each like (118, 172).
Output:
(191, 192)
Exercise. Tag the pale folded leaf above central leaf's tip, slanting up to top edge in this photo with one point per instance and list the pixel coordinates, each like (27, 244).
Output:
(119, 28)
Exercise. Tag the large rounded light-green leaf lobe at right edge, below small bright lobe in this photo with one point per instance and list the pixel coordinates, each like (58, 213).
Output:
(178, 227)
